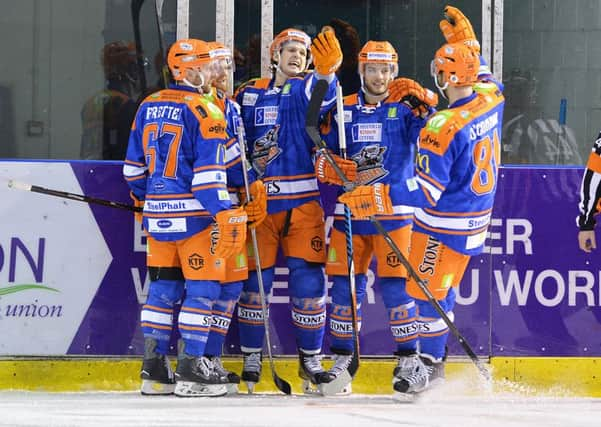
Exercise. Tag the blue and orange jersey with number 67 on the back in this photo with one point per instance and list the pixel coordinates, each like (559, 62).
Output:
(176, 163)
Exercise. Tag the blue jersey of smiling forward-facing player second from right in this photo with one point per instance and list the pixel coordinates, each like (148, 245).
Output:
(382, 140)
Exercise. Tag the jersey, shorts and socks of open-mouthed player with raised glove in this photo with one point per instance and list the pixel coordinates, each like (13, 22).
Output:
(282, 155)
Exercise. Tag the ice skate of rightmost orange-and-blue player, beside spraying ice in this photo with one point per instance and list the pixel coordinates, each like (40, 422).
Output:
(425, 374)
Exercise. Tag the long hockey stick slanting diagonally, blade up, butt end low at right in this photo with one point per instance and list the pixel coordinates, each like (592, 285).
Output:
(311, 124)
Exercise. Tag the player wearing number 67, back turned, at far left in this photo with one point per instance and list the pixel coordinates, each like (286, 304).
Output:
(175, 167)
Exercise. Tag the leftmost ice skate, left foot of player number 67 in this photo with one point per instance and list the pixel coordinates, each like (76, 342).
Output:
(157, 376)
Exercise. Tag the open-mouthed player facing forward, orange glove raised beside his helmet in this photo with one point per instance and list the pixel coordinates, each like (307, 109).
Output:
(273, 111)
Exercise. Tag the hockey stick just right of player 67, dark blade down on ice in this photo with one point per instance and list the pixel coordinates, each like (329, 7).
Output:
(281, 384)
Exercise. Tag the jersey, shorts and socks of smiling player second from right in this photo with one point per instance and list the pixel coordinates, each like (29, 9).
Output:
(382, 141)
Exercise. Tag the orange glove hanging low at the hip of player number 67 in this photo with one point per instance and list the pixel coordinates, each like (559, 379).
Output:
(230, 226)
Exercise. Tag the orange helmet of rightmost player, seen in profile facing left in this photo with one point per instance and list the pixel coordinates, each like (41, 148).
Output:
(454, 64)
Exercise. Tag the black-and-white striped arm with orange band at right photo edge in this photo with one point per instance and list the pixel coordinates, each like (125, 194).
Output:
(590, 199)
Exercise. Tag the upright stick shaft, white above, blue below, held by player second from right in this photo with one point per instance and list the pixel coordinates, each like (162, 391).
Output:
(348, 232)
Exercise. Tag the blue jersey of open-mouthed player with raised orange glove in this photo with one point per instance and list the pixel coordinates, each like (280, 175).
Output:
(281, 151)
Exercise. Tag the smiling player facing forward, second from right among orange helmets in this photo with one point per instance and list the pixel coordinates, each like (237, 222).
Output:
(381, 133)
